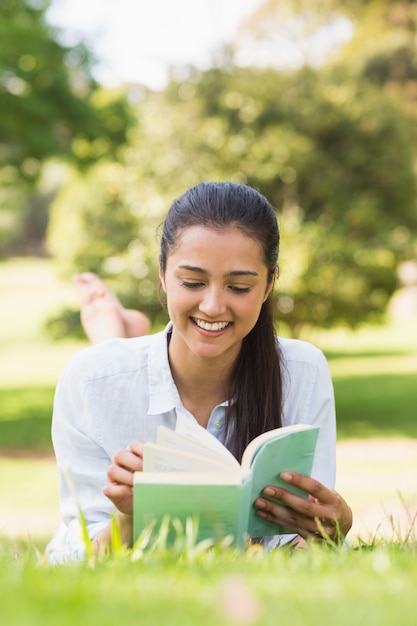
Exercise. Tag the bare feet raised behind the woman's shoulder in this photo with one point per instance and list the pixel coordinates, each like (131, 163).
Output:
(102, 315)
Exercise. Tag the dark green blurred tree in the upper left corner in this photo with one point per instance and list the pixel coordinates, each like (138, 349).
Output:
(50, 106)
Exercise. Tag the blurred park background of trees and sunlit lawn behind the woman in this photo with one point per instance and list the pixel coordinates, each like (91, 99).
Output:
(326, 132)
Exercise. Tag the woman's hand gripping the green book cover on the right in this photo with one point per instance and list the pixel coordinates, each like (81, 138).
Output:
(324, 514)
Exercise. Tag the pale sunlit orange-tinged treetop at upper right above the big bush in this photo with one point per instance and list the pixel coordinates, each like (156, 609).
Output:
(375, 40)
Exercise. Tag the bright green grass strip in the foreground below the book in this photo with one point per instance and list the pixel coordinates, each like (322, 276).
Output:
(373, 586)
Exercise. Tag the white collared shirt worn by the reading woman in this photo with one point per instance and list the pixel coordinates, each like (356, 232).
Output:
(121, 390)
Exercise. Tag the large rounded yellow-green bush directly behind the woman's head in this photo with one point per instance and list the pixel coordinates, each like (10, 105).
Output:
(322, 162)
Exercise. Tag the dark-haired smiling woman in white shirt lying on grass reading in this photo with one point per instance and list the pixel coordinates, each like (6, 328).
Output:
(218, 361)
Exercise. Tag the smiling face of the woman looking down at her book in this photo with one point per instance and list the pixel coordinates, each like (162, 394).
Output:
(216, 282)
